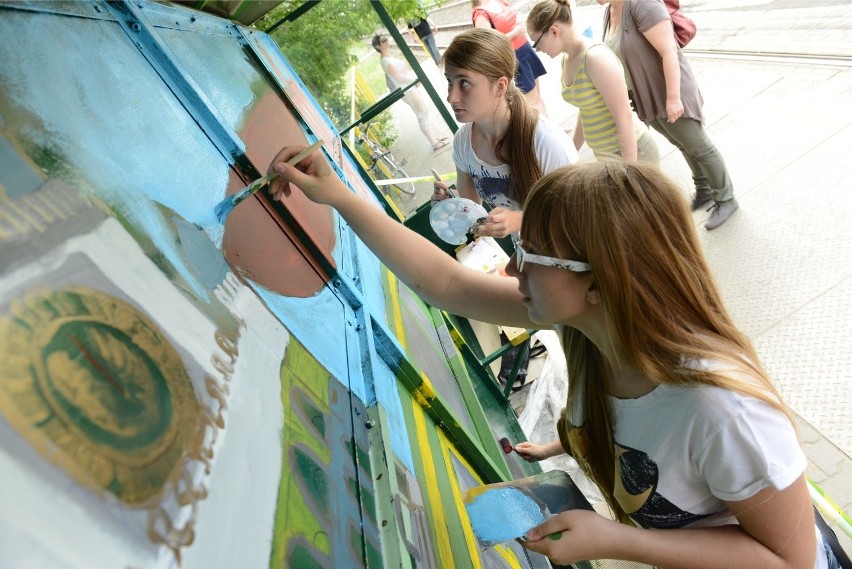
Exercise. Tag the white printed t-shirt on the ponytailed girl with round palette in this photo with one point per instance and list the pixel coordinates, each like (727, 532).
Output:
(553, 148)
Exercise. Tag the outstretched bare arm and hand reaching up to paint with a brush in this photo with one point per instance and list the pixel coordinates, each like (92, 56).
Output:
(431, 273)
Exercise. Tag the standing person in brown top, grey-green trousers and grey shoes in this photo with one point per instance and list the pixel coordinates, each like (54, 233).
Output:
(667, 98)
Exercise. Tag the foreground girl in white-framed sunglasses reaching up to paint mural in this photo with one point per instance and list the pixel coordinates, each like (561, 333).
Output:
(669, 410)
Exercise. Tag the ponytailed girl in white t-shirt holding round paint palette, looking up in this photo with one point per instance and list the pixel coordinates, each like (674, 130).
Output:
(503, 145)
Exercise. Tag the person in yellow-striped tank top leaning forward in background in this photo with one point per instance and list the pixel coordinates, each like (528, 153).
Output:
(593, 81)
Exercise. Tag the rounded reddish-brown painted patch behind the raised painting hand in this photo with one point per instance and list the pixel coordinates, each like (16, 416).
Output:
(256, 239)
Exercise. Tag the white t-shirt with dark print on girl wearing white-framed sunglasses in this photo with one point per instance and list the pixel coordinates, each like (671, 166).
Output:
(682, 451)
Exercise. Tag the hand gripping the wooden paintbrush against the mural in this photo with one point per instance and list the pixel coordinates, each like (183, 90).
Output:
(312, 175)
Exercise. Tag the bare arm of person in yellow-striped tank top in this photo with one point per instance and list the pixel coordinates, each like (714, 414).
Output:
(608, 77)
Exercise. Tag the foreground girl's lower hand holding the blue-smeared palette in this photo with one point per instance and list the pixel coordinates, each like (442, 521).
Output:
(573, 536)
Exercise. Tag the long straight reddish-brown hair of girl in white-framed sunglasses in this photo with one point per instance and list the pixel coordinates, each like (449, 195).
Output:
(631, 223)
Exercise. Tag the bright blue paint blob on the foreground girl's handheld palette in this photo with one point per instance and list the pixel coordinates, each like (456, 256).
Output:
(503, 514)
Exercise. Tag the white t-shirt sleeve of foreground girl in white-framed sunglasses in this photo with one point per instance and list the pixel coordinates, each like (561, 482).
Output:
(755, 448)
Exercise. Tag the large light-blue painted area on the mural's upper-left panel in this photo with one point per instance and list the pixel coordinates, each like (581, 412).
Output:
(104, 134)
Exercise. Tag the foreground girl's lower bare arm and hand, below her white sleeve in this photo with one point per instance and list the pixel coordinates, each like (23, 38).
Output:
(776, 531)
